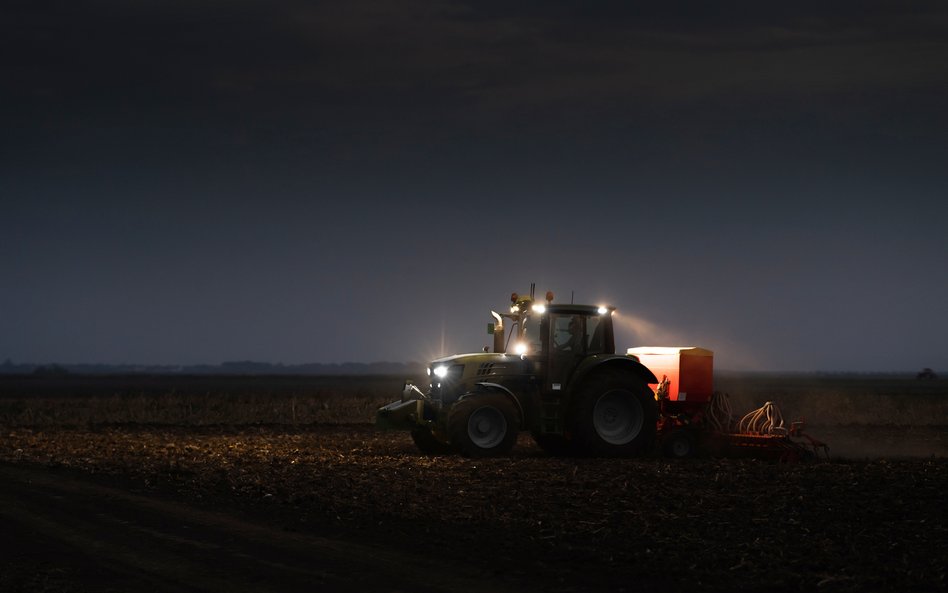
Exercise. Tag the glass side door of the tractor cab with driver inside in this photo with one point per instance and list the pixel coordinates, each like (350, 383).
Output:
(572, 338)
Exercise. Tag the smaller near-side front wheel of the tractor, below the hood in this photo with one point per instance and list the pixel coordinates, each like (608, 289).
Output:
(483, 425)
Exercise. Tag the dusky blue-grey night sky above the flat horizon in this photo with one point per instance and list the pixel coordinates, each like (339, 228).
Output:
(199, 181)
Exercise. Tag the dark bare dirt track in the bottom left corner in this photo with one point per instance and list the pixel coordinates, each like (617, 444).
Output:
(65, 532)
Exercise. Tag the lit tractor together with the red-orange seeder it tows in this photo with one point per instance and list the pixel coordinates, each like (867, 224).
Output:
(557, 375)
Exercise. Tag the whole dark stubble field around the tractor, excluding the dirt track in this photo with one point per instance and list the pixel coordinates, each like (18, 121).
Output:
(304, 456)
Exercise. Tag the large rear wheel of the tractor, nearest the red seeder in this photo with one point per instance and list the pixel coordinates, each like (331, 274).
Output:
(614, 415)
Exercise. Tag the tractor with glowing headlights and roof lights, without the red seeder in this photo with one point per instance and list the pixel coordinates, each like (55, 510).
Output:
(553, 371)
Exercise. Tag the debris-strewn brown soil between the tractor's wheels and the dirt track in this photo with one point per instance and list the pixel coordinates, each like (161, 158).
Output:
(578, 522)
